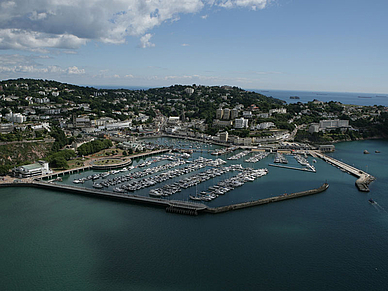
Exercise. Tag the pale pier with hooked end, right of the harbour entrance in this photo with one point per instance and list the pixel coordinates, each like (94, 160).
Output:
(364, 179)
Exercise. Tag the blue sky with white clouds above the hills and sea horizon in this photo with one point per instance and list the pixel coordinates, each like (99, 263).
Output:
(319, 45)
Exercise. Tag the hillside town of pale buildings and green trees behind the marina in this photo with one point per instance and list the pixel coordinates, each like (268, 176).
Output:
(58, 122)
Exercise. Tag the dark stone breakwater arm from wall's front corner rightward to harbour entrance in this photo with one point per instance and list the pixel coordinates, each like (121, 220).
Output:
(267, 200)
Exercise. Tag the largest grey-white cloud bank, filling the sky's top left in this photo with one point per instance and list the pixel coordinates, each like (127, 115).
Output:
(70, 24)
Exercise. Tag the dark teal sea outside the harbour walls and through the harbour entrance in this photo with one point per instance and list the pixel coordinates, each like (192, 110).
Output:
(335, 240)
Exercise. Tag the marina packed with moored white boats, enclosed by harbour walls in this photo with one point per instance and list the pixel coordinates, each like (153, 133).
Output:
(192, 182)
